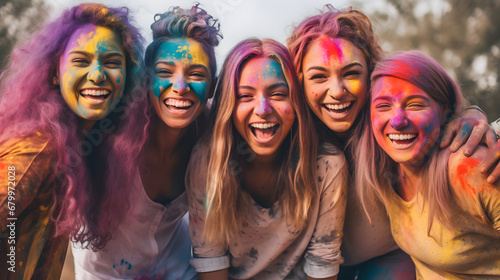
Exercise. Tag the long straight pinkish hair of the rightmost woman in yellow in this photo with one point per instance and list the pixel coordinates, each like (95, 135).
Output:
(377, 172)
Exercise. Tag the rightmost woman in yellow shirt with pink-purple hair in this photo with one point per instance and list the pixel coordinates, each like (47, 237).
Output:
(443, 212)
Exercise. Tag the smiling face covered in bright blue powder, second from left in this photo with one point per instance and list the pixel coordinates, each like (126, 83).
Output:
(181, 81)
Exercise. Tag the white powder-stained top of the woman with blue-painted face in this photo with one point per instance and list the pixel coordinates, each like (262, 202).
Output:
(152, 242)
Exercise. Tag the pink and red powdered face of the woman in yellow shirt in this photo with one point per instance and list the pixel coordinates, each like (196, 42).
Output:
(406, 121)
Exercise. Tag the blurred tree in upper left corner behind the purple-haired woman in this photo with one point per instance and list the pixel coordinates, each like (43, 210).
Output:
(18, 19)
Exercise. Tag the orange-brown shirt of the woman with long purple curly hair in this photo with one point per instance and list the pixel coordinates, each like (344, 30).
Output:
(27, 183)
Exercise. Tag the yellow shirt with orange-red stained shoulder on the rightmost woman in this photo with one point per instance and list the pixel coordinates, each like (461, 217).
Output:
(470, 248)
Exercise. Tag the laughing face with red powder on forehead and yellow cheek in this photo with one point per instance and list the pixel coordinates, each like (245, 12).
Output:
(335, 81)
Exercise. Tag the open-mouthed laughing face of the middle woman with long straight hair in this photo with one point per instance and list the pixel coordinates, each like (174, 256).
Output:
(263, 114)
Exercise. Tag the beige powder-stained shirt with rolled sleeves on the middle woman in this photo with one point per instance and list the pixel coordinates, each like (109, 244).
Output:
(267, 247)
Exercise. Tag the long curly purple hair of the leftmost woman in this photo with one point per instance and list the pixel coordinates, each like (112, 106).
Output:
(84, 194)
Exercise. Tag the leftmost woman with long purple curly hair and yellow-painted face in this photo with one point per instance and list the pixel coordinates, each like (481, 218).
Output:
(65, 92)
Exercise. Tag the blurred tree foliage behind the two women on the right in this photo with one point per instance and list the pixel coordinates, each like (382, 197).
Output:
(464, 36)
